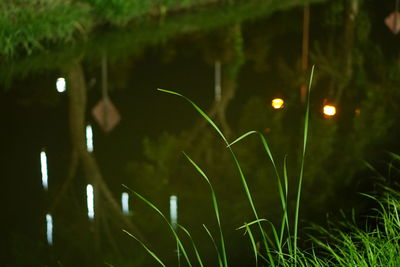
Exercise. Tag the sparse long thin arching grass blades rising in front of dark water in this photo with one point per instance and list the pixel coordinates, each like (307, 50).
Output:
(281, 249)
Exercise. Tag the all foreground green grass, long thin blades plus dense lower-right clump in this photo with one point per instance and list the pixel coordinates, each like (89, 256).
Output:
(351, 246)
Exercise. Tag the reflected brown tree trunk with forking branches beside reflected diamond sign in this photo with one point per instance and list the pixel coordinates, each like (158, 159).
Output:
(105, 203)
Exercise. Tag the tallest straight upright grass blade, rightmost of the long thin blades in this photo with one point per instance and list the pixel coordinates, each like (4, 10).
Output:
(296, 220)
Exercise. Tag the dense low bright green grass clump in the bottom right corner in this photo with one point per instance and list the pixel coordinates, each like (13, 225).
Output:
(378, 244)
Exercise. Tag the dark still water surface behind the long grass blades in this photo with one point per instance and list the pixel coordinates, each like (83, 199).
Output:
(357, 71)
